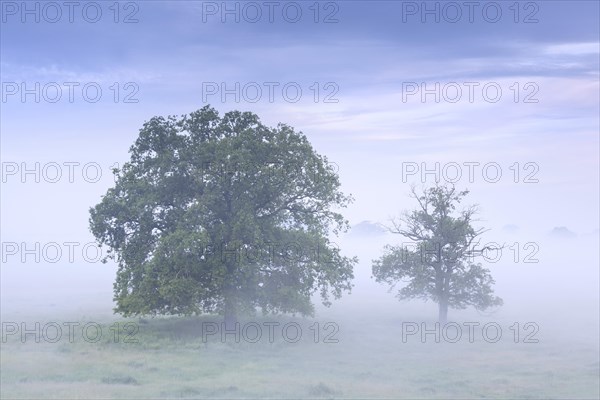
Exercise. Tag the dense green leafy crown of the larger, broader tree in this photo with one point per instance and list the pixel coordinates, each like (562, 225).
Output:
(222, 215)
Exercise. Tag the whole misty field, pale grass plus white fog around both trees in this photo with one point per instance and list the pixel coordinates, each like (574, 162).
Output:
(353, 350)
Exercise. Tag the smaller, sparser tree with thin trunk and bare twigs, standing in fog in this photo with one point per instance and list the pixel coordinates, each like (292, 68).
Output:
(438, 263)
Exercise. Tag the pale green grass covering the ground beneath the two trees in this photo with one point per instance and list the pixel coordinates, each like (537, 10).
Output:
(171, 360)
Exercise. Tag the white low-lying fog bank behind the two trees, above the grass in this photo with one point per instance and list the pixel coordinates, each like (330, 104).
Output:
(559, 292)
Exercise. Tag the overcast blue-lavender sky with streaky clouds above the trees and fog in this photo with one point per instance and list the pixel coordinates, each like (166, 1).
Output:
(369, 115)
